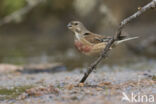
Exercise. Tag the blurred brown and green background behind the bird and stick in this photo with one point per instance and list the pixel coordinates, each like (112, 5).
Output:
(35, 32)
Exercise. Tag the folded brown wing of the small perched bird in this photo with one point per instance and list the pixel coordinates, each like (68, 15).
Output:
(95, 38)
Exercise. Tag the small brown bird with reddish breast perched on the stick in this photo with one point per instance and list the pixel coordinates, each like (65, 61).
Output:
(90, 43)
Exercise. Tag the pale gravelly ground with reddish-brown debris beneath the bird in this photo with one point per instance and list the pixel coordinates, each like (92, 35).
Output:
(105, 86)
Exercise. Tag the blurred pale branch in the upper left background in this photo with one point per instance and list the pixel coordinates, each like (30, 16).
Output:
(17, 15)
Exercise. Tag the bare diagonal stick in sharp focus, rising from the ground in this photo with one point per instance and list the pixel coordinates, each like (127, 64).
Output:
(103, 55)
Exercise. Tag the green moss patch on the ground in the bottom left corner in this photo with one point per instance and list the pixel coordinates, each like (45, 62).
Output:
(12, 93)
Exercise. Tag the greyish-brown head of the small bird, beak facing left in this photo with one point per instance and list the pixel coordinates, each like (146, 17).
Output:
(76, 27)
